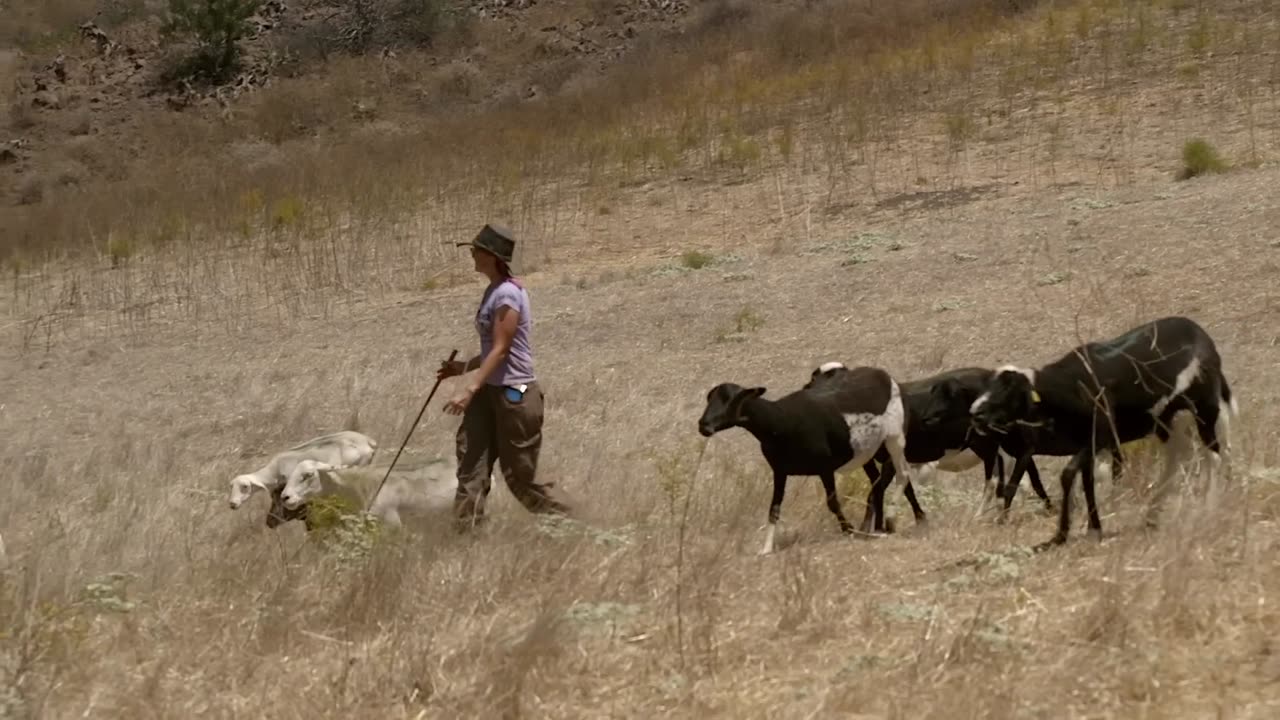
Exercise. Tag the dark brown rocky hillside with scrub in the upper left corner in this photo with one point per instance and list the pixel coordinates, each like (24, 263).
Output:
(89, 89)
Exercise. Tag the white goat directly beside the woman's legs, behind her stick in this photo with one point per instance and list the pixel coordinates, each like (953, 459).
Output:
(413, 489)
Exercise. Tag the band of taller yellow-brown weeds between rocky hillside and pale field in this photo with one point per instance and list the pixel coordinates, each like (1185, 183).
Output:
(885, 98)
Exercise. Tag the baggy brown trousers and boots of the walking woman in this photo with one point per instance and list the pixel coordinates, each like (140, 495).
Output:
(496, 429)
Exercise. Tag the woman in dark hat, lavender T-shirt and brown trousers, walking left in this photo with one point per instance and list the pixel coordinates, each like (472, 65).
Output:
(501, 402)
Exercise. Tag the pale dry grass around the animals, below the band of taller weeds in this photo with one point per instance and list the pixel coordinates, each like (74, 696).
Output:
(121, 450)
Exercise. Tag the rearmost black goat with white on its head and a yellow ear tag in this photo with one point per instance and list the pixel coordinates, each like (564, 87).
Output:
(1105, 394)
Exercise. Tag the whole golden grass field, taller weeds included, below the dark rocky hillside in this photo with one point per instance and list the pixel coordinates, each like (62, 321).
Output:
(1002, 217)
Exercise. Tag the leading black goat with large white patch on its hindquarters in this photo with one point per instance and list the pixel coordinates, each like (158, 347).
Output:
(817, 431)
